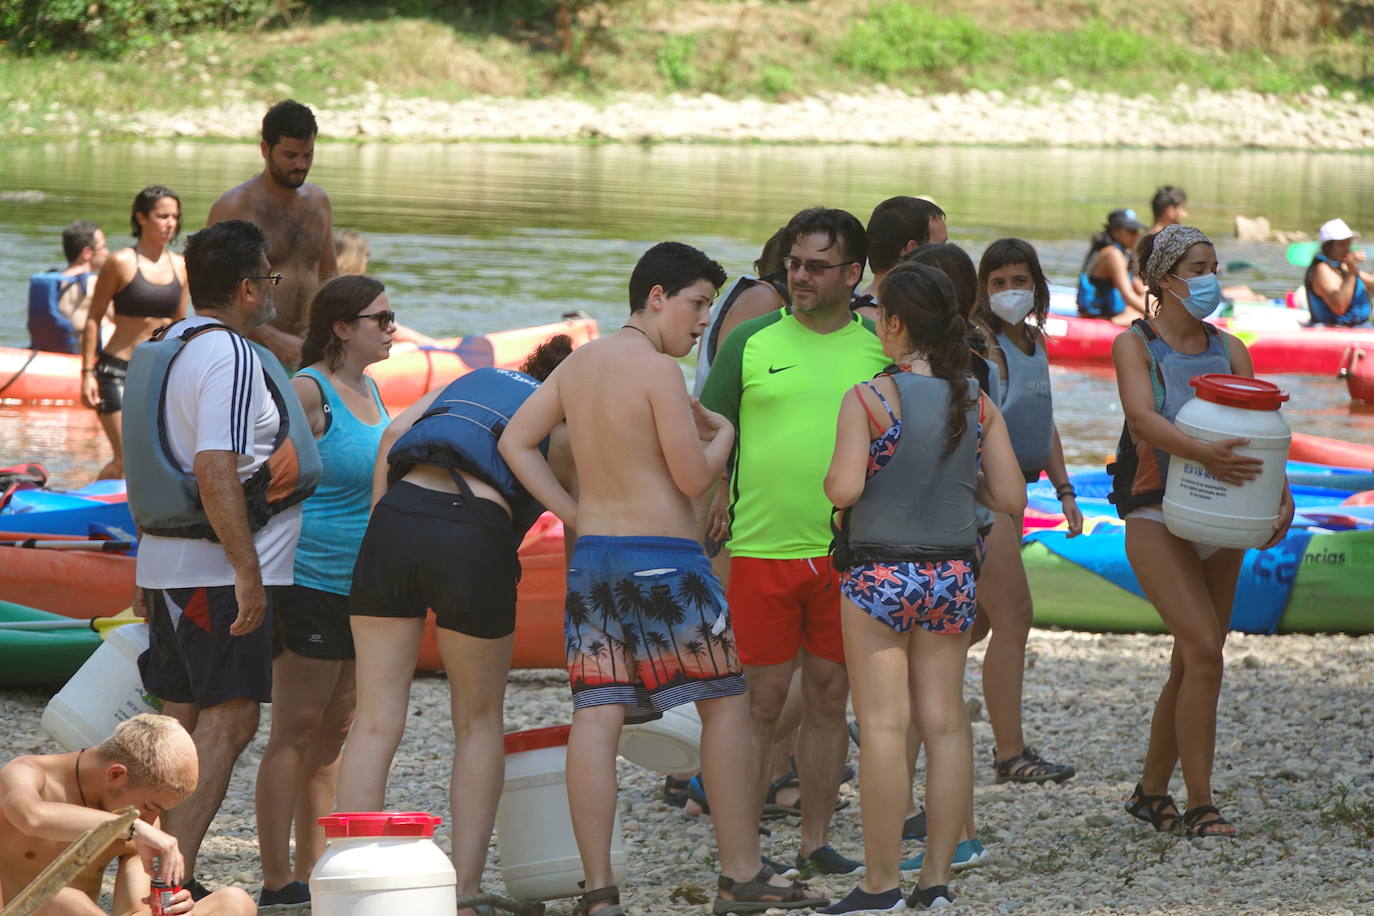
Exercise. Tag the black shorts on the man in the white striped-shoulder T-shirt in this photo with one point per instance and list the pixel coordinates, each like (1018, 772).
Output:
(192, 656)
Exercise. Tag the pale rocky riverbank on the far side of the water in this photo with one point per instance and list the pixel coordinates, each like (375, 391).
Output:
(1057, 116)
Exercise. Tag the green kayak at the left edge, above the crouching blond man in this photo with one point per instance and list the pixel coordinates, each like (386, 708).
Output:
(39, 649)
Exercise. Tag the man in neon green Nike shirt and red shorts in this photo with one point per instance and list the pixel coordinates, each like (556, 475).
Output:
(780, 380)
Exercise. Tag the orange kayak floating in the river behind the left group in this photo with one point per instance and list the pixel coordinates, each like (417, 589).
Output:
(41, 378)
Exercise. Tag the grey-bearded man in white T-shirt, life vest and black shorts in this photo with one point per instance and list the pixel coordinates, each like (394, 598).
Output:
(221, 455)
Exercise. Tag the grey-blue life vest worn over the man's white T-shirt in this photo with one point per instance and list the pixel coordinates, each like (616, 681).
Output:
(164, 499)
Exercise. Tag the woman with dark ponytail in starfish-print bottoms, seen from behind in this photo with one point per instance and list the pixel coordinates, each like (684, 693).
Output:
(914, 448)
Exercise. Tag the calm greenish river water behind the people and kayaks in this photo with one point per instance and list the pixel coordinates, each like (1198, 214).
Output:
(484, 237)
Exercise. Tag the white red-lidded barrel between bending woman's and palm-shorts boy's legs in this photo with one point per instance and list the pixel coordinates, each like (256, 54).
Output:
(534, 829)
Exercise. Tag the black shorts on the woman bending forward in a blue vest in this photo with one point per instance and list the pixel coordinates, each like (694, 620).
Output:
(433, 550)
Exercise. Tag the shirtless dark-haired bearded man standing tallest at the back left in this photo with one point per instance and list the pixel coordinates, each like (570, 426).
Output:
(296, 218)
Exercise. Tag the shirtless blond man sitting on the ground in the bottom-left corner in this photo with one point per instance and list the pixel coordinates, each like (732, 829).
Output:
(49, 801)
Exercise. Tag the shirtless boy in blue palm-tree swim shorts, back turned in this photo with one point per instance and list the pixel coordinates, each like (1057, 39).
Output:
(640, 587)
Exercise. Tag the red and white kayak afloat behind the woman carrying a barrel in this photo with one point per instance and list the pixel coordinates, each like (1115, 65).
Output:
(1074, 341)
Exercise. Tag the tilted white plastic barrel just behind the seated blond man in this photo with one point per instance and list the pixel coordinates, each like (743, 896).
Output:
(104, 693)
